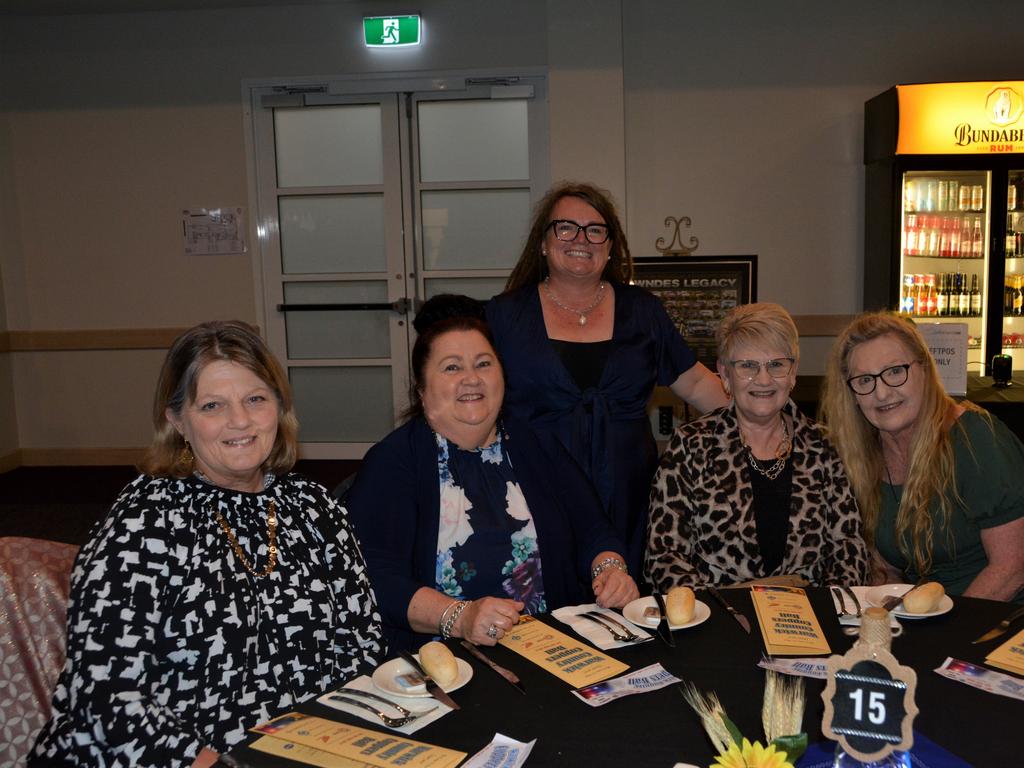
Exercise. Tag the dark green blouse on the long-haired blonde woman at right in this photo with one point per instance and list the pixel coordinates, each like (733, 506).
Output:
(990, 478)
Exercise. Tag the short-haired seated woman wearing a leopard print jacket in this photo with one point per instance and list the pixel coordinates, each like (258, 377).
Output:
(754, 490)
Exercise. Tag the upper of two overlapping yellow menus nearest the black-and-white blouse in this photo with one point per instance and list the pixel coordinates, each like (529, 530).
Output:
(358, 746)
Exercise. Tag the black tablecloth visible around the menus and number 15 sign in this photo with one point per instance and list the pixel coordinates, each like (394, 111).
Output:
(659, 729)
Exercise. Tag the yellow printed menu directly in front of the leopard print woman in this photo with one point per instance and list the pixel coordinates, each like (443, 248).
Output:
(788, 622)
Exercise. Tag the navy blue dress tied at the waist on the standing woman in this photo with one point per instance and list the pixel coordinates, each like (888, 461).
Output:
(606, 429)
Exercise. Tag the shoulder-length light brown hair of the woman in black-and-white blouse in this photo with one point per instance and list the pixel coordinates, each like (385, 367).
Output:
(233, 342)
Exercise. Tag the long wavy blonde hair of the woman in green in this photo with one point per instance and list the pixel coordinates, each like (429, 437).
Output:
(930, 471)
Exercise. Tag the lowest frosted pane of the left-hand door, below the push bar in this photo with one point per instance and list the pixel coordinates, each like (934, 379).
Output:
(344, 405)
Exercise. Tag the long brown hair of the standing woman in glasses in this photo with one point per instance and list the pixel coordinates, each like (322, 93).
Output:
(533, 267)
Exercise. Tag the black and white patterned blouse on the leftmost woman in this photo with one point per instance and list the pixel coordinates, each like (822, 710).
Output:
(174, 647)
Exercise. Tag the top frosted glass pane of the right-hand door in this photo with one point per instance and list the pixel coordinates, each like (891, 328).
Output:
(474, 141)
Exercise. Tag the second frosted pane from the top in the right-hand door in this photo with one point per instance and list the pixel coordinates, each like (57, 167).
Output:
(475, 230)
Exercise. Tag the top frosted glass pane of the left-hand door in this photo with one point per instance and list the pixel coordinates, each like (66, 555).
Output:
(329, 146)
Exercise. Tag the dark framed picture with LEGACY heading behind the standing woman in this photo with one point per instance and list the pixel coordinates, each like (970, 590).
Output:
(698, 292)
